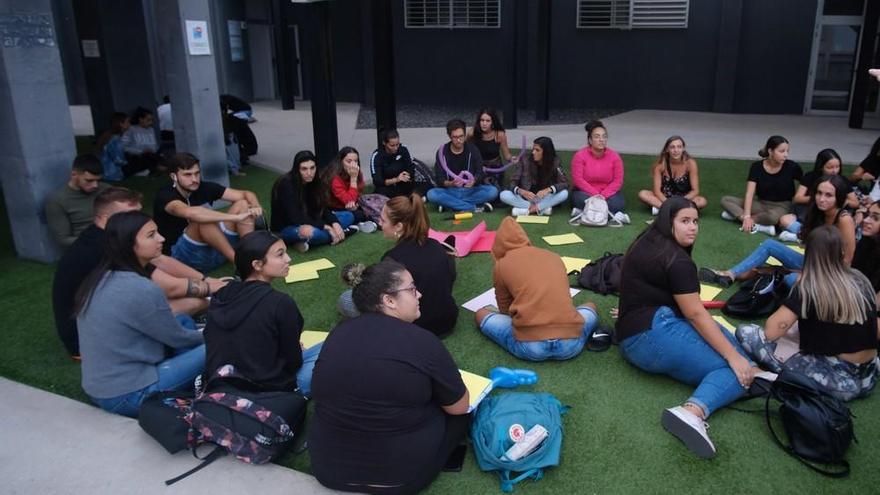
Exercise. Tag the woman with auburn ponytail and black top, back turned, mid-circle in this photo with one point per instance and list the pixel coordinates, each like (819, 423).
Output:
(405, 220)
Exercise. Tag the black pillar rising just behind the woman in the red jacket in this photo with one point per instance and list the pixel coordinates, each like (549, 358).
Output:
(321, 77)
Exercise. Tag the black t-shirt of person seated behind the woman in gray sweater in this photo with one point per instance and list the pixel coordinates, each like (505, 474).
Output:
(83, 256)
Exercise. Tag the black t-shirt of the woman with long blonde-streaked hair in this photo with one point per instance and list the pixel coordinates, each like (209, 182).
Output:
(828, 339)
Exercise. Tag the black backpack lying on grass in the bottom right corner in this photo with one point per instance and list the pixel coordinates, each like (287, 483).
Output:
(818, 426)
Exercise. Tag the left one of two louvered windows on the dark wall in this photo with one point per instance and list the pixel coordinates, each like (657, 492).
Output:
(452, 14)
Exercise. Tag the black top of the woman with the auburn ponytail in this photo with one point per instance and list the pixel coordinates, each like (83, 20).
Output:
(434, 274)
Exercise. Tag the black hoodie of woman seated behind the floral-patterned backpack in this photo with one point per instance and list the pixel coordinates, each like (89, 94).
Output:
(256, 329)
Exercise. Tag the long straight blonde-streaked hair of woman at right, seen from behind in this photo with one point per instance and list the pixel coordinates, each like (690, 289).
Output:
(836, 292)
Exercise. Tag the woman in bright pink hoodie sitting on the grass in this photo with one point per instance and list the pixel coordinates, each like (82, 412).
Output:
(598, 171)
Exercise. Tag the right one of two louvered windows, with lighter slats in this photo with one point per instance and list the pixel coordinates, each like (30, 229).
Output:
(632, 14)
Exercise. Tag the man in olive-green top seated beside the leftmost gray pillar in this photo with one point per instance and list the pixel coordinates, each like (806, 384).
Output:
(70, 208)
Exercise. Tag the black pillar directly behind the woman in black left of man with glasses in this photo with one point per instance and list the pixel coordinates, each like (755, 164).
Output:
(383, 67)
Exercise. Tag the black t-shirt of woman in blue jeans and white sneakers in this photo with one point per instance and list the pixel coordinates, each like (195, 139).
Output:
(653, 271)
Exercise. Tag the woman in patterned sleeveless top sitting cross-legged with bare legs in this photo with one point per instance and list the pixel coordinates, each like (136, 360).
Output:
(674, 173)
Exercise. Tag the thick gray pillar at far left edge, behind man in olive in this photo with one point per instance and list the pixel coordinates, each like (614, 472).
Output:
(36, 134)
